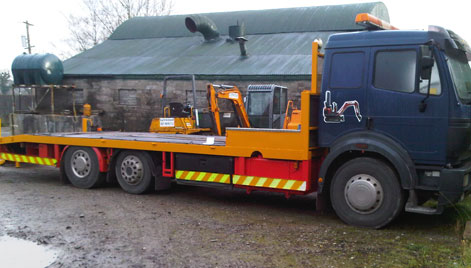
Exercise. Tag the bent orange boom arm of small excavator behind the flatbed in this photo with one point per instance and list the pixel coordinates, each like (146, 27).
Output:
(231, 93)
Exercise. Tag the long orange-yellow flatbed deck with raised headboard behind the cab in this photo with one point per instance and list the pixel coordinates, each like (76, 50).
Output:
(238, 142)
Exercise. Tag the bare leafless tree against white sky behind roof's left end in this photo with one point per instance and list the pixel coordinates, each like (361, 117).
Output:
(104, 16)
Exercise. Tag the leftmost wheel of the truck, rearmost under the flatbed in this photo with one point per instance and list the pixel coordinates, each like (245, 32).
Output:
(82, 168)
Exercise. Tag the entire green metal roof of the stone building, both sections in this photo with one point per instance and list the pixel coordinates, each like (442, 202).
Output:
(279, 43)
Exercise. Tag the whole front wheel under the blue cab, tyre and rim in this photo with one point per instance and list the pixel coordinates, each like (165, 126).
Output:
(366, 192)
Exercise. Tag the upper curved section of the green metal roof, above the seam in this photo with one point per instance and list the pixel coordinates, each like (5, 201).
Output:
(285, 20)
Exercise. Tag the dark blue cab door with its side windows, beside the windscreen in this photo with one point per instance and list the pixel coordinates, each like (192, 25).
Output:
(395, 95)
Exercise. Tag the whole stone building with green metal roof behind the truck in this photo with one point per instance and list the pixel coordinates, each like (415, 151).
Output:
(123, 75)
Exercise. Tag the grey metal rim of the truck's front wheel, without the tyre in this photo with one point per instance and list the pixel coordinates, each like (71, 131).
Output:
(363, 193)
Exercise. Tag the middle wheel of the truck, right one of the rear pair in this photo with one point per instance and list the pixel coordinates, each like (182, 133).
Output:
(133, 171)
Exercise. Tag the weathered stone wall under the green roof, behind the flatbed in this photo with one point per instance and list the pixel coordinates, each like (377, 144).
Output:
(130, 105)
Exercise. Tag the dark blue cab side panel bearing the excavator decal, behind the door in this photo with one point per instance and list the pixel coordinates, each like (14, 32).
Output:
(343, 100)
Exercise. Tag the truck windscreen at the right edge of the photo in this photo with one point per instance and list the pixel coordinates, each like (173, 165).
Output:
(461, 74)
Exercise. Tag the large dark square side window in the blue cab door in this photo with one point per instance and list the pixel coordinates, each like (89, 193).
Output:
(396, 70)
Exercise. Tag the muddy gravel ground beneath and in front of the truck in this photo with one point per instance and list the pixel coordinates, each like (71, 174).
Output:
(204, 227)
